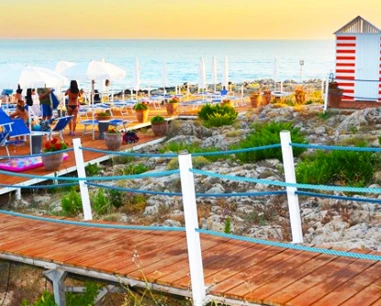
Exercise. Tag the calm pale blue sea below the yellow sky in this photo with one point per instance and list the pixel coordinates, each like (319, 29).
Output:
(248, 60)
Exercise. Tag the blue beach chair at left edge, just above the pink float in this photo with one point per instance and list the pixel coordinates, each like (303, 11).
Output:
(16, 129)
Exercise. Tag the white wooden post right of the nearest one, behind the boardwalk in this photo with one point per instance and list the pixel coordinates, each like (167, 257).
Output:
(292, 198)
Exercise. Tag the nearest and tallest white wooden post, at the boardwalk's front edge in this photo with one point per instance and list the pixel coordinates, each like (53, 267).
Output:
(191, 224)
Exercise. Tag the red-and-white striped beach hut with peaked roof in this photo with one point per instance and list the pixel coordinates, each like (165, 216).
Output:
(358, 61)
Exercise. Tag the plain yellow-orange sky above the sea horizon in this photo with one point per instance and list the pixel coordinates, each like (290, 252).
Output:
(180, 19)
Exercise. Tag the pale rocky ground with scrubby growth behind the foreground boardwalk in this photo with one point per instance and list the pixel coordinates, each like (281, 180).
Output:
(326, 222)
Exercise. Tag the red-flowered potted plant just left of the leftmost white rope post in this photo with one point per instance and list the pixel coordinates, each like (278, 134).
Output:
(53, 158)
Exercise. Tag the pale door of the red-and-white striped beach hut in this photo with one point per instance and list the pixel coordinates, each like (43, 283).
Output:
(367, 67)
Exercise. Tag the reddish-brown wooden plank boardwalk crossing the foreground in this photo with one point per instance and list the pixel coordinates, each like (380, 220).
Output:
(234, 271)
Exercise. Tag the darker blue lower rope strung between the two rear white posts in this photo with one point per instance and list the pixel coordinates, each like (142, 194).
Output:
(216, 195)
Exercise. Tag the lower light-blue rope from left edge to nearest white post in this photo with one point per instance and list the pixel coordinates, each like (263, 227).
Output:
(97, 225)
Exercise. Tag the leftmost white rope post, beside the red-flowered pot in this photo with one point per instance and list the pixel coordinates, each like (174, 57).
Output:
(82, 174)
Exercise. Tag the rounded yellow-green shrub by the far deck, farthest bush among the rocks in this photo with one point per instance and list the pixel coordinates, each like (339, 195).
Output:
(217, 115)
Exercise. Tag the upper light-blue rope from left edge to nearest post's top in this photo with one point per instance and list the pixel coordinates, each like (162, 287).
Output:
(95, 178)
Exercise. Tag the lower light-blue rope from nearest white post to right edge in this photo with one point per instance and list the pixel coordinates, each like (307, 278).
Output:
(292, 246)
